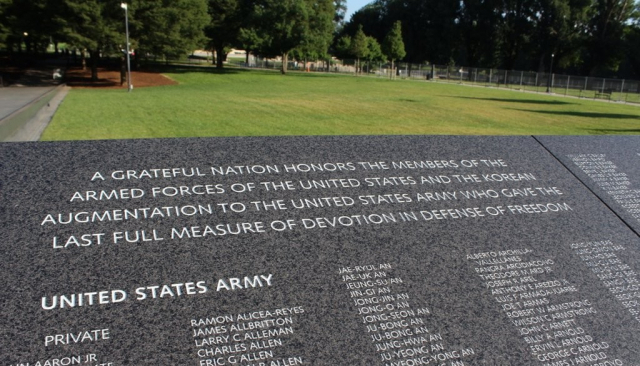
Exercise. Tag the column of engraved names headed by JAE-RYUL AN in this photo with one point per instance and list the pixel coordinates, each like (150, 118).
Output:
(396, 329)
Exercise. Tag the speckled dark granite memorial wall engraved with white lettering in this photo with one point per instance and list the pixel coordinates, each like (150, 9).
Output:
(286, 251)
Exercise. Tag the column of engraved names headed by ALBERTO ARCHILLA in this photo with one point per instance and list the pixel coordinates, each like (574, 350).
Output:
(541, 307)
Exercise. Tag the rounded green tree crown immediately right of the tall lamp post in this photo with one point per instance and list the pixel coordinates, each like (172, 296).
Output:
(169, 28)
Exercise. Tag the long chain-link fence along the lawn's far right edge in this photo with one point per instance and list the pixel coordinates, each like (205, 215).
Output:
(615, 90)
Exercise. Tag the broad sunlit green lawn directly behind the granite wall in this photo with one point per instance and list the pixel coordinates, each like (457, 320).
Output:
(260, 103)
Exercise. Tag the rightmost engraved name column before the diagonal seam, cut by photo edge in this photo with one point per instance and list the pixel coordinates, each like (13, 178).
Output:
(618, 277)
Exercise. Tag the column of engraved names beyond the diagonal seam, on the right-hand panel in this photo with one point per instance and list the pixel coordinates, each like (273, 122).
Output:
(617, 184)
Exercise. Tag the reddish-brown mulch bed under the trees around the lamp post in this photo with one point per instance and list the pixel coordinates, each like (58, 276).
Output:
(110, 79)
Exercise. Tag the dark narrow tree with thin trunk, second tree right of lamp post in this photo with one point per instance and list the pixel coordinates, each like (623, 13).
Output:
(223, 30)
